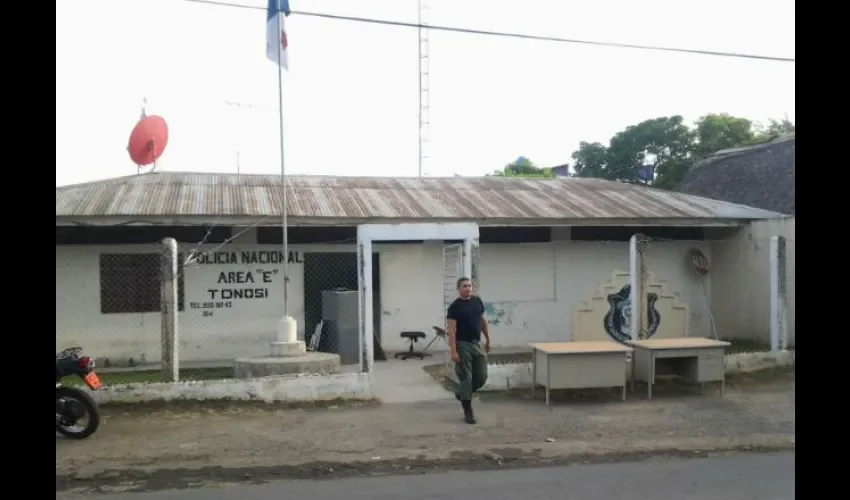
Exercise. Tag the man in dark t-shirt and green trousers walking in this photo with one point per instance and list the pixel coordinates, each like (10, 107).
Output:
(466, 324)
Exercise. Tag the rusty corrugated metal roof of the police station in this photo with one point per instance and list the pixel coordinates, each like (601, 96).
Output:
(177, 194)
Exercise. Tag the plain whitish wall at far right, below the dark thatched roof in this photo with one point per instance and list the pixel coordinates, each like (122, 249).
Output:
(741, 280)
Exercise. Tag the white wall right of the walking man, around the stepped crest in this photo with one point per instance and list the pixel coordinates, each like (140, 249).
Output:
(535, 286)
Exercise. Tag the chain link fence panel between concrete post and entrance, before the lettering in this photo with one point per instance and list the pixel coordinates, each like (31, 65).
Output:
(235, 304)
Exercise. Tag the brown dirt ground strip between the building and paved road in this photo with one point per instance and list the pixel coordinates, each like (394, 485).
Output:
(185, 445)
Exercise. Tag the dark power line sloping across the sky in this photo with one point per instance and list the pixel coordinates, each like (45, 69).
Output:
(522, 36)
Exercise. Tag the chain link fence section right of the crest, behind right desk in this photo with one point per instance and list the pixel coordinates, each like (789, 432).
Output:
(725, 285)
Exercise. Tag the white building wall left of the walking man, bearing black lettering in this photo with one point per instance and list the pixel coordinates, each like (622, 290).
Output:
(411, 300)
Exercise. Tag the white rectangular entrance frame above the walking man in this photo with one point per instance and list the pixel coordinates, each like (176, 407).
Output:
(369, 233)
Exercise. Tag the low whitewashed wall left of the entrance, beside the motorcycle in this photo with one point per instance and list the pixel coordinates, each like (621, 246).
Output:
(268, 389)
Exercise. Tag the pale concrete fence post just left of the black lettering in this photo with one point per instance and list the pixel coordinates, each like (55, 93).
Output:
(168, 311)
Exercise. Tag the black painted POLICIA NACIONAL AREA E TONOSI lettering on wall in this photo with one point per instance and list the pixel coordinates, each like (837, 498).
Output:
(251, 281)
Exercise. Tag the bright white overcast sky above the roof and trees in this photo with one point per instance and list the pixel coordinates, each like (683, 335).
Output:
(351, 96)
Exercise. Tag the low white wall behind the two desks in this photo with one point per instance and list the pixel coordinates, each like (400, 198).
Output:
(518, 375)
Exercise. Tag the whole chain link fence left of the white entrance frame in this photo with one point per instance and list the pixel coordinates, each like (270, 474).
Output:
(228, 304)
